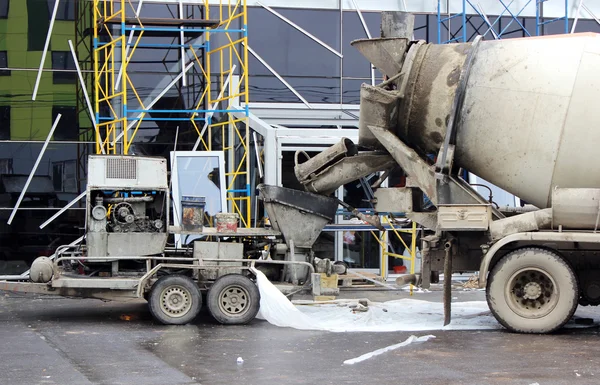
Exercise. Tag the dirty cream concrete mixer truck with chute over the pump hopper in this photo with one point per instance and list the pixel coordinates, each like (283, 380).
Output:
(519, 113)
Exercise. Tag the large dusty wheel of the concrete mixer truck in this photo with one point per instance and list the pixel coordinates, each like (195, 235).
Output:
(532, 290)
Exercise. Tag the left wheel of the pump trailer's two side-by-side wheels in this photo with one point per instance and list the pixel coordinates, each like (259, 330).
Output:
(175, 300)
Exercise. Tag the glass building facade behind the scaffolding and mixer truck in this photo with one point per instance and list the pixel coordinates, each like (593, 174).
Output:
(304, 76)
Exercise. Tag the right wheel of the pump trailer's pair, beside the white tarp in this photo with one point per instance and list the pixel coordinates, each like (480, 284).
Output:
(233, 300)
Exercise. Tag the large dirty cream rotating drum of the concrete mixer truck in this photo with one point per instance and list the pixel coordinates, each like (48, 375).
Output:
(529, 119)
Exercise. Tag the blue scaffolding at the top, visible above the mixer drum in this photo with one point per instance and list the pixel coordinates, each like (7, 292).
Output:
(471, 20)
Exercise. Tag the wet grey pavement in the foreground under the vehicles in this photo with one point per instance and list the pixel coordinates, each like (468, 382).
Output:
(48, 340)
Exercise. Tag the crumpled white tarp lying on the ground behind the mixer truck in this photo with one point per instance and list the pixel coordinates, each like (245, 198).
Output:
(399, 315)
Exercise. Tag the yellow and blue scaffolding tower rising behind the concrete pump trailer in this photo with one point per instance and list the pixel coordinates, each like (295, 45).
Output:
(214, 45)
